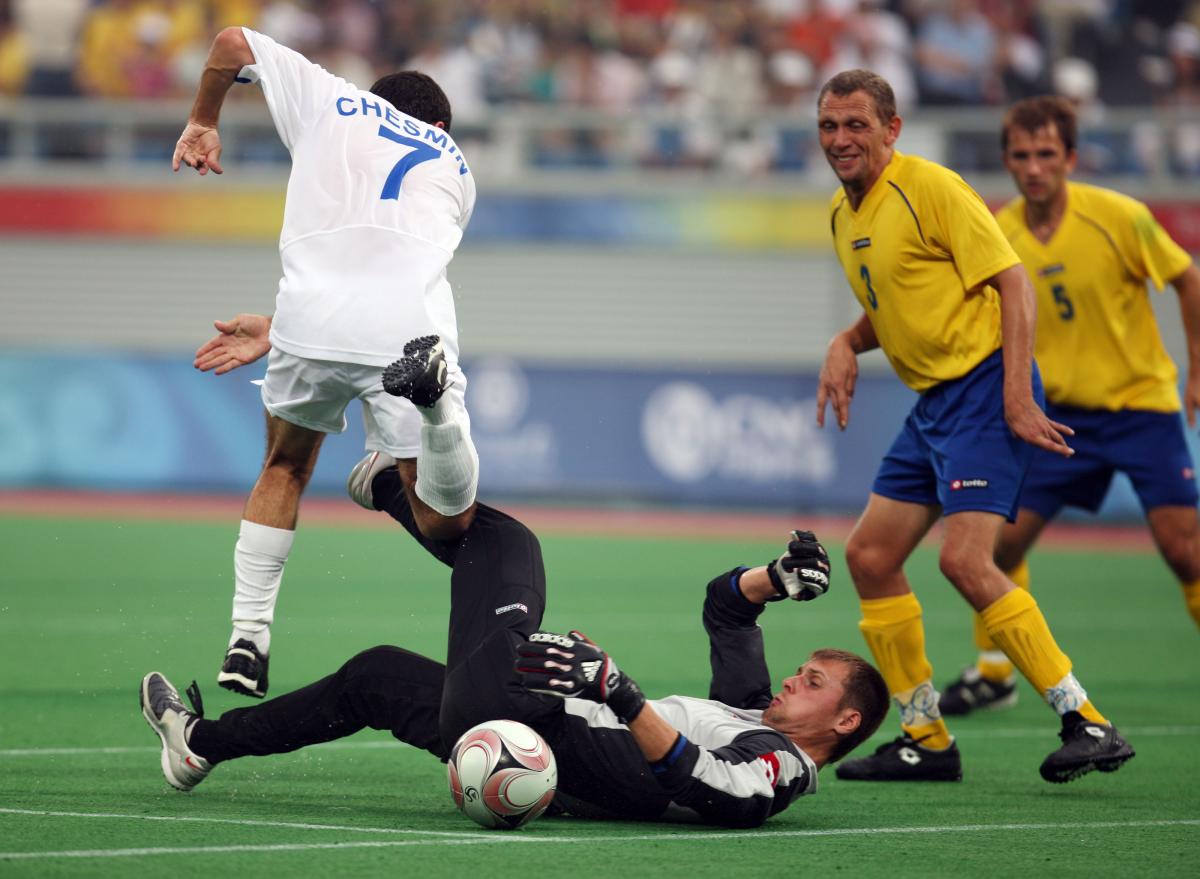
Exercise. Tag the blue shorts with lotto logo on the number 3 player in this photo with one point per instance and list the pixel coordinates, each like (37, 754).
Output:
(956, 450)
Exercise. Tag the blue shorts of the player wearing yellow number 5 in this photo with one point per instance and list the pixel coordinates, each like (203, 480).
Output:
(1149, 447)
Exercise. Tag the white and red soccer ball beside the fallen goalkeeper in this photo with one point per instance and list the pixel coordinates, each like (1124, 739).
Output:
(502, 775)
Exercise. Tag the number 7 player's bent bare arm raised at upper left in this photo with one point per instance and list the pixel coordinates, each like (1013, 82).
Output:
(200, 146)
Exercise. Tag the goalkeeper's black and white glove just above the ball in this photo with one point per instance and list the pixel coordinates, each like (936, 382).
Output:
(571, 666)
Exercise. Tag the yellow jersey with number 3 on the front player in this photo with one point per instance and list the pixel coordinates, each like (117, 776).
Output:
(917, 253)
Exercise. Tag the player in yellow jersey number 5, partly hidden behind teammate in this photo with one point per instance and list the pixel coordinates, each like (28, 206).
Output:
(1091, 253)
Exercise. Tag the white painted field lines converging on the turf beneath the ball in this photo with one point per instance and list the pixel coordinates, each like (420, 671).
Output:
(529, 839)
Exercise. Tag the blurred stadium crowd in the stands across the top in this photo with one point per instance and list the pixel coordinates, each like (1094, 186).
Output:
(688, 61)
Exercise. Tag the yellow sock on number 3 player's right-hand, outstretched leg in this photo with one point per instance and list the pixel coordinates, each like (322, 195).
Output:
(1018, 627)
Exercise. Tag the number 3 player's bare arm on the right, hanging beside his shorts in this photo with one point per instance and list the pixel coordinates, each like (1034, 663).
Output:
(1018, 313)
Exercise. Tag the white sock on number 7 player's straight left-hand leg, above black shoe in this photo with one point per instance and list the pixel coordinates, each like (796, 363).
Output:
(259, 563)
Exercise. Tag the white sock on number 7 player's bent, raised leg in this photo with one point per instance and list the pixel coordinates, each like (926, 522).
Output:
(448, 465)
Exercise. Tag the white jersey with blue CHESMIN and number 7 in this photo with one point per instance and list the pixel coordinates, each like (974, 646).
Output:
(377, 204)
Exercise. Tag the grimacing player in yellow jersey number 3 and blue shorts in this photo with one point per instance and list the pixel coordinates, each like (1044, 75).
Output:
(947, 300)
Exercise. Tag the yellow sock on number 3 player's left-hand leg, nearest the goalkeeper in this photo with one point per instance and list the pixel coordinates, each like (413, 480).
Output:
(895, 632)
